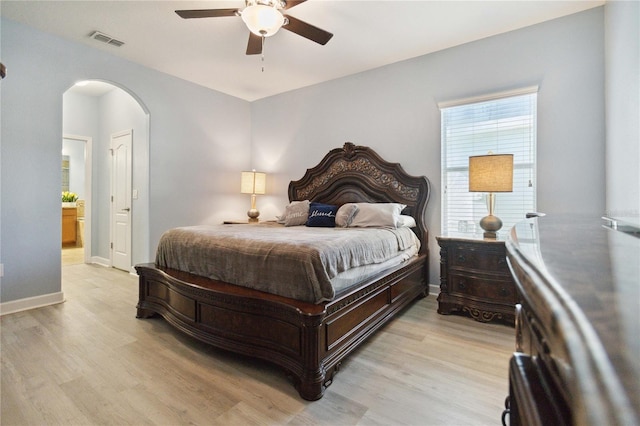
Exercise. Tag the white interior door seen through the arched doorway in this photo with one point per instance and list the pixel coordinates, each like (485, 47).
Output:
(121, 200)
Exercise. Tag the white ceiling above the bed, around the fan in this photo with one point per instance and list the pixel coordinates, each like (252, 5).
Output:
(211, 51)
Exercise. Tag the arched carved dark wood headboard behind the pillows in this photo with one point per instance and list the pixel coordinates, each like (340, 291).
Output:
(354, 174)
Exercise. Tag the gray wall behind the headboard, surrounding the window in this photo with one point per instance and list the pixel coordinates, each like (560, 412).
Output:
(394, 110)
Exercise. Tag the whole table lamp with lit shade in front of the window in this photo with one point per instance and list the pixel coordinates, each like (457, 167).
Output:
(491, 173)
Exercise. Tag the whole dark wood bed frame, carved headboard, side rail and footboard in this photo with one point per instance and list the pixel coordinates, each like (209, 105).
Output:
(308, 340)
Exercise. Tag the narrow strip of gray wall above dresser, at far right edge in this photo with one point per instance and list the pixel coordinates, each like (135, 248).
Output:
(622, 20)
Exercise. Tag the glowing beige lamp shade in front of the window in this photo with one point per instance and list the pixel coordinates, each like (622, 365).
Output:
(491, 173)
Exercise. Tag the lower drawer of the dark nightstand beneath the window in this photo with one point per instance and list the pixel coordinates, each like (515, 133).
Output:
(498, 291)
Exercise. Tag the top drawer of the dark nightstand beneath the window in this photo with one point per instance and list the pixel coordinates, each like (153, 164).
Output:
(473, 256)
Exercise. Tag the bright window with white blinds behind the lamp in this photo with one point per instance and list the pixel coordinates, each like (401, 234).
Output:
(501, 124)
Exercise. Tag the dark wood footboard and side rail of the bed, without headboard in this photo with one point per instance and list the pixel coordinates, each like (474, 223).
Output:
(309, 341)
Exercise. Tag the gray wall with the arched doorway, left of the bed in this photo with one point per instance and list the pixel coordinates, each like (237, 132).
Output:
(198, 141)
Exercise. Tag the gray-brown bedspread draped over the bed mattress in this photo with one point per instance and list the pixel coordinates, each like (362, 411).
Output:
(296, 262)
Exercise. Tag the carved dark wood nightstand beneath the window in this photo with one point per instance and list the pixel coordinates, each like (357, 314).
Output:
(475, 278)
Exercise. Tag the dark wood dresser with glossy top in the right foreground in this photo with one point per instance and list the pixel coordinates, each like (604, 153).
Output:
(578, 325)
